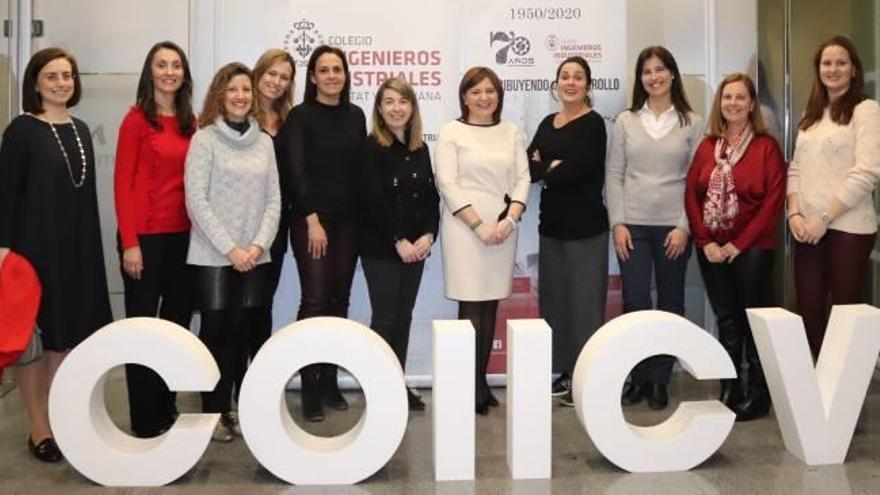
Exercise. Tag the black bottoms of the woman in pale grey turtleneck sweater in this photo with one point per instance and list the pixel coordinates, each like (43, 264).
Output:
(228, 302)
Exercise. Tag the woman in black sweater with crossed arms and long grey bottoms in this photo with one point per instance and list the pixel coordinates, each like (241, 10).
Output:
(567, 156)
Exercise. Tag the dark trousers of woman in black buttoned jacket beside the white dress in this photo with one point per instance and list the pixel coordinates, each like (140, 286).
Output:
(393, 286)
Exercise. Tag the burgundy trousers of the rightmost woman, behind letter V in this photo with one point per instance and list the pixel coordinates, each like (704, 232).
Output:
(834, 271)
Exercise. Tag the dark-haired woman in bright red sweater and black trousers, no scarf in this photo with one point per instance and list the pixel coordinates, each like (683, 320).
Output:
(153, 224)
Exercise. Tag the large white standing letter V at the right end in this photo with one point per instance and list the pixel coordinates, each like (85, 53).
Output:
(817, 408)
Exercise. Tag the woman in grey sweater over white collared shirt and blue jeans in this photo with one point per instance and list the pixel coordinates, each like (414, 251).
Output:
(651, 148)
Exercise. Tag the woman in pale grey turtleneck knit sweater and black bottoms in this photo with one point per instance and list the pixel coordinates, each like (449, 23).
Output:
(234, 202)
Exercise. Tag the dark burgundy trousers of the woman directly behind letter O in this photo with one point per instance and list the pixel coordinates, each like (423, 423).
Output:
(325, 283)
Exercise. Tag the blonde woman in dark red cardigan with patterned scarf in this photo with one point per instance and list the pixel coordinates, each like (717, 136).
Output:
(733, 197)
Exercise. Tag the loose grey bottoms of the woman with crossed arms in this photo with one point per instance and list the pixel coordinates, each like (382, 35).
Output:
(572, 290)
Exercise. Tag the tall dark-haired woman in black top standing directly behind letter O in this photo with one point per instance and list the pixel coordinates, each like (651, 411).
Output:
(322, 137)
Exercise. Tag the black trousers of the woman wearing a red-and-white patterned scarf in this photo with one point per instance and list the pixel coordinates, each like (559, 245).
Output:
(733, 287)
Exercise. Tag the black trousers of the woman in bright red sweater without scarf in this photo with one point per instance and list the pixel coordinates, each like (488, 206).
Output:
(164, 289)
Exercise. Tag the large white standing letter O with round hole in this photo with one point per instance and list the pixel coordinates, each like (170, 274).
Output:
(297, 456)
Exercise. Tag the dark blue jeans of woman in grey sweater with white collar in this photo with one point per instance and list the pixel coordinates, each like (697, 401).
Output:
(649, 255)
